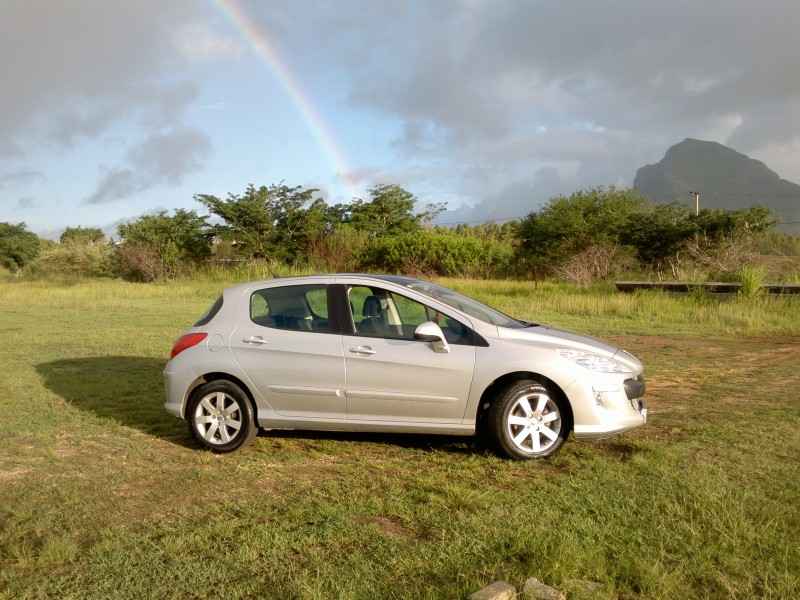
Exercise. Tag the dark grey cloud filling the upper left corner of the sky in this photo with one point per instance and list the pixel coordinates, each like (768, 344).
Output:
(100, 56)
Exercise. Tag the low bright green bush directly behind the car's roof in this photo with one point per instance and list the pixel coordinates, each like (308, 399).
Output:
(438, 252)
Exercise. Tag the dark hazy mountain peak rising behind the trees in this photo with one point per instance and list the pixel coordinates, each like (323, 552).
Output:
(723, 177)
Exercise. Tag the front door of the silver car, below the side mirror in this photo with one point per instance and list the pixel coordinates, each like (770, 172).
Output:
(391, 376)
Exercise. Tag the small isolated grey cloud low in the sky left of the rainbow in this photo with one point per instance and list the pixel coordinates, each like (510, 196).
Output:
(160, 159)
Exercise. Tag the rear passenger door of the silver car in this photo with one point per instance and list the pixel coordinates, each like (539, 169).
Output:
(288, 351)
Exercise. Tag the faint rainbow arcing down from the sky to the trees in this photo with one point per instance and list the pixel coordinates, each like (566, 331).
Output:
(264, 50)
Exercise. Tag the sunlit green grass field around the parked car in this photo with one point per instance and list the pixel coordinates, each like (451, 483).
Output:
(102, 494)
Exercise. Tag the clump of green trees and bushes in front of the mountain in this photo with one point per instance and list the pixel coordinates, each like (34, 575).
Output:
(664, 236)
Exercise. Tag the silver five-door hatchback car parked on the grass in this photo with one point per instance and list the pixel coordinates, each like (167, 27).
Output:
(393, 354)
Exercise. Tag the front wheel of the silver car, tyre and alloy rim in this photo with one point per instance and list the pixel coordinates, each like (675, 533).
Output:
(527, 421)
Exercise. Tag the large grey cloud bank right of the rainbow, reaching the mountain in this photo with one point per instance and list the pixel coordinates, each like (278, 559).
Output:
(506, 89)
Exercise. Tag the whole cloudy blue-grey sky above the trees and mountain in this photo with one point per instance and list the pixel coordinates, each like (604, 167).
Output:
(113, 109)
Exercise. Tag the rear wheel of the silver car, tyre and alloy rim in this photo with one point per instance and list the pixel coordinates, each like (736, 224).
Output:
(220, 416)
